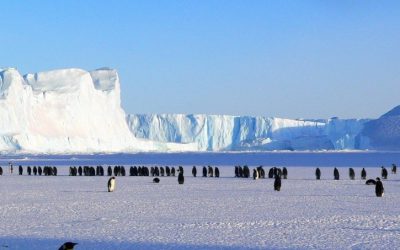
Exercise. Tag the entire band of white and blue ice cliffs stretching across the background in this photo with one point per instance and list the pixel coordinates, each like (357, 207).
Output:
(76, 111)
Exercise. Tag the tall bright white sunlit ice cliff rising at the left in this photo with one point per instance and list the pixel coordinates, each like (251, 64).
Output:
(62, 111)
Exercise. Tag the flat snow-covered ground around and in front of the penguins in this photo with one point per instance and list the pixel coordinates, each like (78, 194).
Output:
(42, 212)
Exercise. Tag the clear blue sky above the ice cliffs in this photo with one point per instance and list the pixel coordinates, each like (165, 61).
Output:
(310, 59)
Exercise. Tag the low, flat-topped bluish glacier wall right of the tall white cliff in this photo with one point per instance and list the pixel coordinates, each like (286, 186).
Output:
(226, 133)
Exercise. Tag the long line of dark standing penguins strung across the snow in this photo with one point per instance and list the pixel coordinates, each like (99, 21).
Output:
(240, 172)
